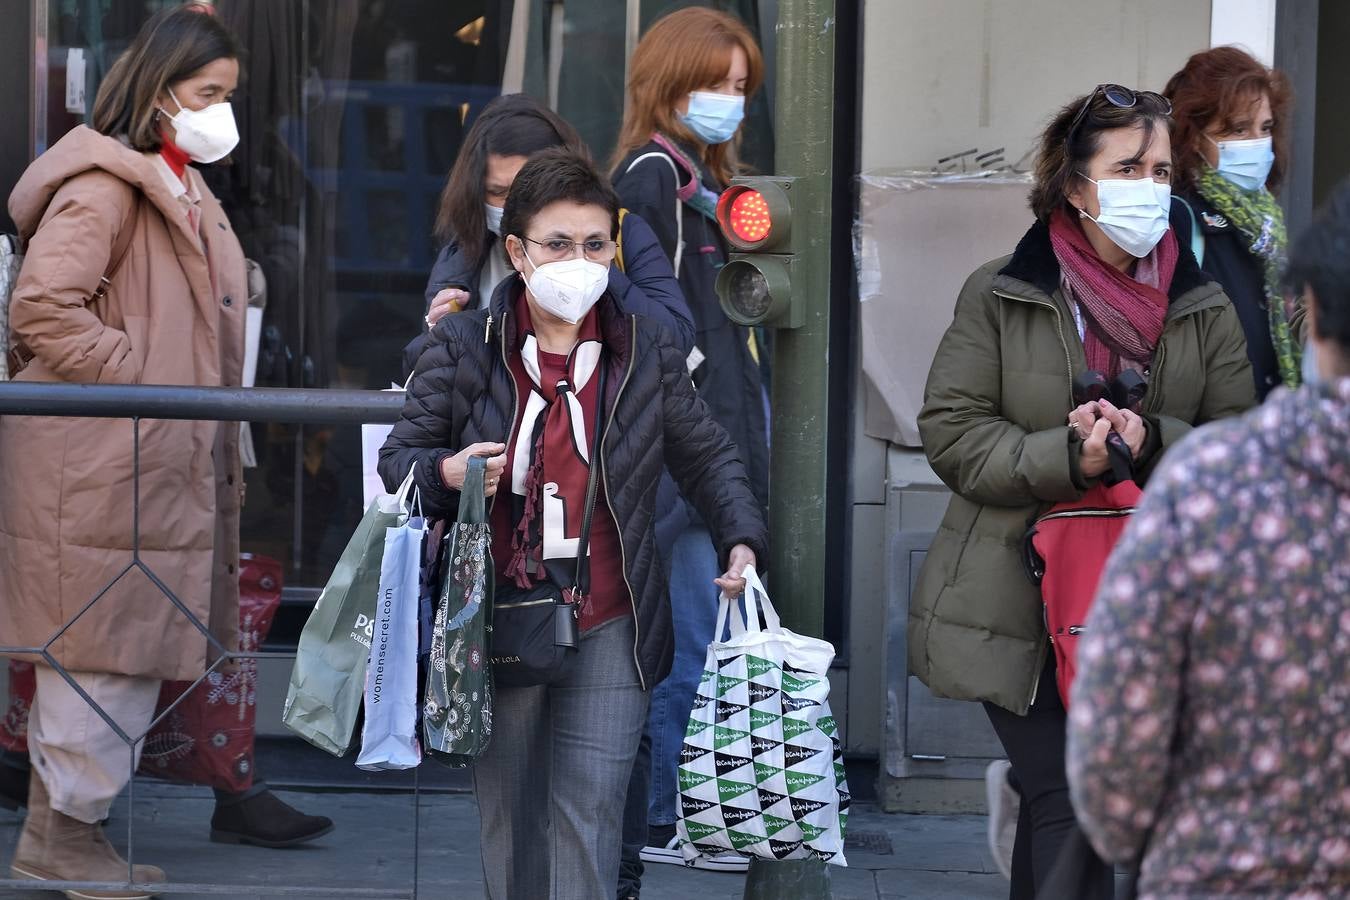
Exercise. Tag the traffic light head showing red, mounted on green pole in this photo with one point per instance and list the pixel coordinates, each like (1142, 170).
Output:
(755, 287)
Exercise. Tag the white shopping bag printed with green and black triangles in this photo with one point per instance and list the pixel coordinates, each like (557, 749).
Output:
(762, 770)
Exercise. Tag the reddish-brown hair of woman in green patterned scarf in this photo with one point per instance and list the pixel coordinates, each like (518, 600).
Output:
(1220, 86)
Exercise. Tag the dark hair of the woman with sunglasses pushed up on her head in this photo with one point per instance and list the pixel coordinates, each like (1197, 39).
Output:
(1067, 150)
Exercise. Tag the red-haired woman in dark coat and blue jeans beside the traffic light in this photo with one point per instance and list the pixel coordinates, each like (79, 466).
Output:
(691, 79)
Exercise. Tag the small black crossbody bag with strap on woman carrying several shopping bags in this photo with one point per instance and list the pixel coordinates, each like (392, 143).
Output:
(534, 634)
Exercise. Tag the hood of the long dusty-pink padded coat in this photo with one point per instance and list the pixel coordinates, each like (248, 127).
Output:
(79, 152)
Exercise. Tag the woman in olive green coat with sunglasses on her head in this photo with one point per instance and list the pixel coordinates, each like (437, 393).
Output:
(1097, 284)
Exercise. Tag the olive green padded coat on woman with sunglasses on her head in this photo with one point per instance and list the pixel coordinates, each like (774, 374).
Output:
(994, 428)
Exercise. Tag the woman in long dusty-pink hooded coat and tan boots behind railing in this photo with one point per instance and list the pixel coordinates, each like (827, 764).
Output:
(133, 277)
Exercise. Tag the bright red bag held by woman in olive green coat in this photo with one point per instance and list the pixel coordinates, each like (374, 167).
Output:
(1066, 553)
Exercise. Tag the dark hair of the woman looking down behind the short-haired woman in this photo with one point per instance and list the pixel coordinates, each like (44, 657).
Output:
(514, 125)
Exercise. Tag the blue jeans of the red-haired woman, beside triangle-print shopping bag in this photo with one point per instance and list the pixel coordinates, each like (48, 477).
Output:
(695, 613)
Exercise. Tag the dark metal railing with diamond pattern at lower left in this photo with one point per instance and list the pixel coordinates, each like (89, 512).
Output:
(291, 407)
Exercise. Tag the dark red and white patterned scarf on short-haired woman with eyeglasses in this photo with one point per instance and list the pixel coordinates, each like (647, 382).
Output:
(551, 461)
